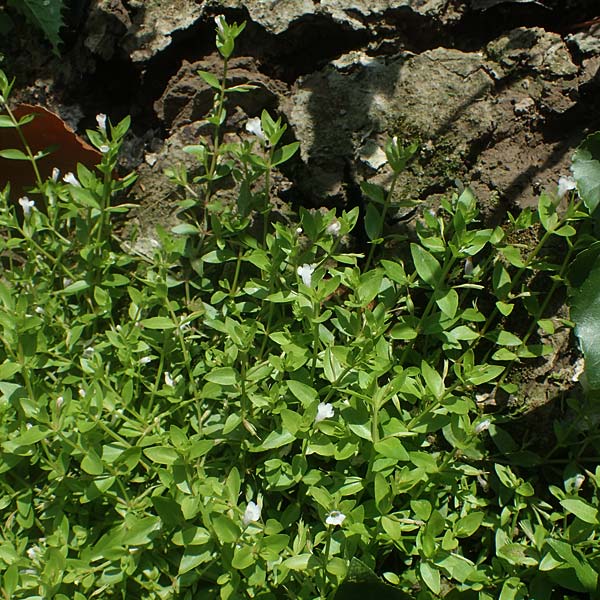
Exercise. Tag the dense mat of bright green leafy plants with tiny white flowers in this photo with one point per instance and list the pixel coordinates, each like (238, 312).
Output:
(252, 410)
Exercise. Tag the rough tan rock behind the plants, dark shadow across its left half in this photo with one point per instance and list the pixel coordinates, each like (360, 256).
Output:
(439, 95)
